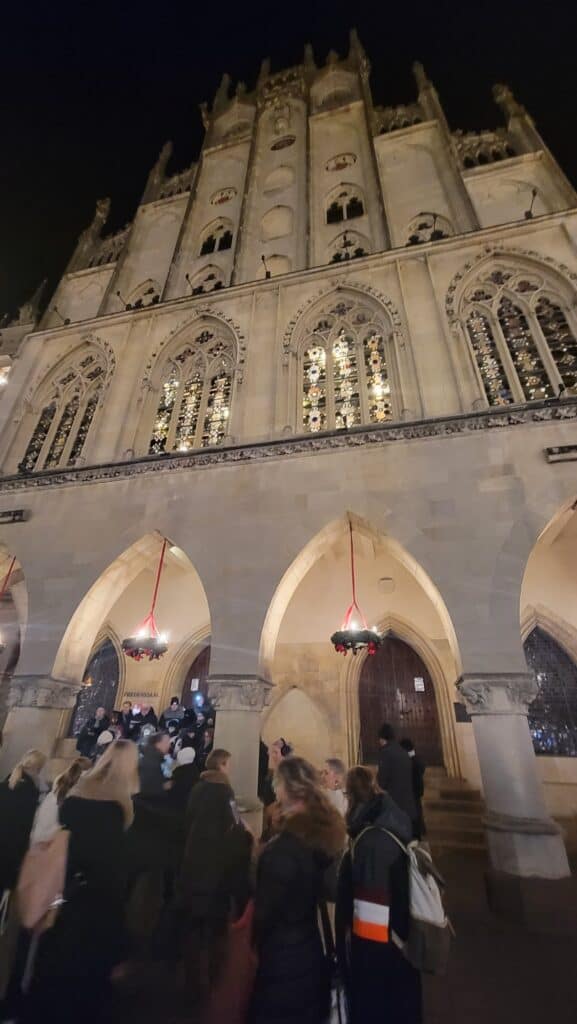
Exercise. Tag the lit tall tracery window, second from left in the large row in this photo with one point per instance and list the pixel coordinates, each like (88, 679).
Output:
(196, 387)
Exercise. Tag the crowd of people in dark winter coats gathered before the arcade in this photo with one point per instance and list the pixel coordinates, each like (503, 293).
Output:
(164, 880)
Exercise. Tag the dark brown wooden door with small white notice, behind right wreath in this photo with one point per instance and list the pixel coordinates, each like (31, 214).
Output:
(396, 688)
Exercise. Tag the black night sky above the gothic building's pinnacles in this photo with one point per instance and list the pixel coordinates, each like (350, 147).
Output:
(90, 93)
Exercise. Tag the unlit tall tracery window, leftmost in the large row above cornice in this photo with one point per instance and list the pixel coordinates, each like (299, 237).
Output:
(68, 405)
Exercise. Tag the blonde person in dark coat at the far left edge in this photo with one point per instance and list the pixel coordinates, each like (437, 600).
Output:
(19, 802)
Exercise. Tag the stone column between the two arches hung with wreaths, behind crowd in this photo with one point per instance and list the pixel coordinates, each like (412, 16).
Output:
(239, 702)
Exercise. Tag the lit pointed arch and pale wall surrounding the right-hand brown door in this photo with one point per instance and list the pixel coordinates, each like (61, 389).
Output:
(297, 655)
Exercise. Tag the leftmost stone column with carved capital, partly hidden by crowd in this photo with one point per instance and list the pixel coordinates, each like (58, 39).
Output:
(37, 709)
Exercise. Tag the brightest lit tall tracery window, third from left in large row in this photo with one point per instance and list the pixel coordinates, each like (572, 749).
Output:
(346, 368)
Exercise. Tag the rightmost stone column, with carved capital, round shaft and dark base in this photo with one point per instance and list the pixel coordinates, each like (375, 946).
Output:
(528, 861)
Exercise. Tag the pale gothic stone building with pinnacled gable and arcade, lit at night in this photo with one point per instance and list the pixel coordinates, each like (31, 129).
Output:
(343, 315)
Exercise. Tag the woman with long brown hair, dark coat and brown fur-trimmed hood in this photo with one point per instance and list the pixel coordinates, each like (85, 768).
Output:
(293, 984)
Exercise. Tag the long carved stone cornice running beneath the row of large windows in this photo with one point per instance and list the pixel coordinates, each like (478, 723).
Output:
(339, 442)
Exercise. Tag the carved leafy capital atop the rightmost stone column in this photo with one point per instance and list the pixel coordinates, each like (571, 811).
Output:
(498, 694)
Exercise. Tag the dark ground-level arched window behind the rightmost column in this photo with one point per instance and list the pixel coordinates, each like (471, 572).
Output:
(553, 715)
